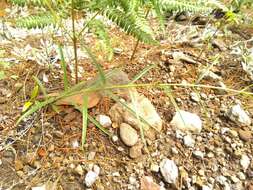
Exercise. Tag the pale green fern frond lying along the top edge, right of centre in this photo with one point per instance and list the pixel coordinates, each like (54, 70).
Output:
(183, 5)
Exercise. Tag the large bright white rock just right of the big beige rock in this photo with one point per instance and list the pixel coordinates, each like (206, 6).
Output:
(187, 121)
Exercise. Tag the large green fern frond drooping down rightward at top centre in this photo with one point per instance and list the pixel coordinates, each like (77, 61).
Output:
(132, 24)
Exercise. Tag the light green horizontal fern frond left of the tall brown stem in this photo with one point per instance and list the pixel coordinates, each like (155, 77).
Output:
(36, 21)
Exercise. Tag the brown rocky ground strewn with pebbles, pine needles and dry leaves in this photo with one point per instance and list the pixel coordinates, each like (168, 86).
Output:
(199, 137)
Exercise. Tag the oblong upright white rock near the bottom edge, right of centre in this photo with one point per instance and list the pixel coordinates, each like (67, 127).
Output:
(169, 170)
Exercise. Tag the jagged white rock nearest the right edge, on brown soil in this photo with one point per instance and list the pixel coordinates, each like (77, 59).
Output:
(239, 116)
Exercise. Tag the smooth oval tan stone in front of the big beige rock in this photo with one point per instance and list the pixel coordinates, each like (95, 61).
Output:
(128, 134)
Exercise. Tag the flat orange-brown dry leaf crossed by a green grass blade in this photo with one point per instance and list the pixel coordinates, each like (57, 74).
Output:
(77, 99)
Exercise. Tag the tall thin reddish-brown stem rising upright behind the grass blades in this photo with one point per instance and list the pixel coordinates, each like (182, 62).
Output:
(74, 40)
